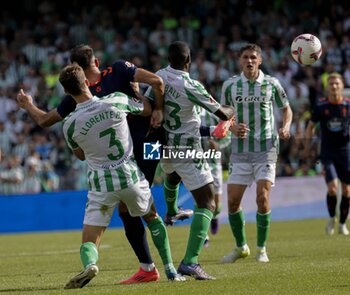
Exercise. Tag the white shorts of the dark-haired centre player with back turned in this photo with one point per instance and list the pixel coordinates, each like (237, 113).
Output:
(194, 173)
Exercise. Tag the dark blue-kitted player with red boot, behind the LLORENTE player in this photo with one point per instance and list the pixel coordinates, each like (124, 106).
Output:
(118, 77)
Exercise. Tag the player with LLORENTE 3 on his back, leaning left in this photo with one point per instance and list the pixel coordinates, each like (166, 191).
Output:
(97, 131)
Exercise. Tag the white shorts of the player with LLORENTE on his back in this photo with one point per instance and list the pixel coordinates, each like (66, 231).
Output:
(100, 205)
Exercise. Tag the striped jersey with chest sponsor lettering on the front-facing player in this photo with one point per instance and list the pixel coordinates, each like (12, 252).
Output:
(253, 104)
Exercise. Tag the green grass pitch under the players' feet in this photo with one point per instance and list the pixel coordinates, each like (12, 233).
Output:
(303, 260)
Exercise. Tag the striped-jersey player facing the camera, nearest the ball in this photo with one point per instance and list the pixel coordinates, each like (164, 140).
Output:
(254, 146)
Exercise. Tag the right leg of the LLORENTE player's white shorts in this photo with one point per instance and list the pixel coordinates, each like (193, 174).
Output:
(137, 197)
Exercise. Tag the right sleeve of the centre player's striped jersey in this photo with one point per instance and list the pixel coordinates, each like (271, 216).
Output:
(197, 94)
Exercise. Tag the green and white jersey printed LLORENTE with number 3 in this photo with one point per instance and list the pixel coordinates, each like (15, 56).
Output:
(99, 127)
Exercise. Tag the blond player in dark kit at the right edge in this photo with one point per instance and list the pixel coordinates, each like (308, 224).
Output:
(333, 115)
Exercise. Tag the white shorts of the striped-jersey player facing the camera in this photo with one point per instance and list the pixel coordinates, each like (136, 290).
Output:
(249, 167)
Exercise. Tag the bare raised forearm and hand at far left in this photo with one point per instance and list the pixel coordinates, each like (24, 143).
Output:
(40, 117)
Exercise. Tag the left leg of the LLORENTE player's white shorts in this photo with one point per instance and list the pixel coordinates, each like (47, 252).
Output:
(100, 207)
